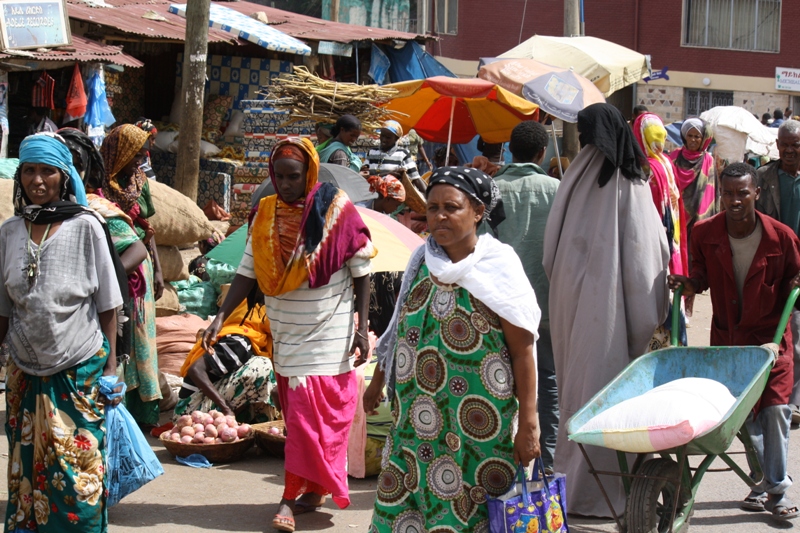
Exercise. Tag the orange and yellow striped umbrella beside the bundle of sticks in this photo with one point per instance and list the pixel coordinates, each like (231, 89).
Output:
(453, 110)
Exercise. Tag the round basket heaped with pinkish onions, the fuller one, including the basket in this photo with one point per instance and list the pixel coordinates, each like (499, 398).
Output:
(217, 437)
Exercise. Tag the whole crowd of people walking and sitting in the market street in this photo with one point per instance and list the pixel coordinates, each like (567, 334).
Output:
(529, 294)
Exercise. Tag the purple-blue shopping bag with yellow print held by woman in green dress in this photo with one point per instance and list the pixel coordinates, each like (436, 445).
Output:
(531, 506)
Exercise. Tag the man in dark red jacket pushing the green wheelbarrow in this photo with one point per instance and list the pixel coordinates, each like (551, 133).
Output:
(750, 262)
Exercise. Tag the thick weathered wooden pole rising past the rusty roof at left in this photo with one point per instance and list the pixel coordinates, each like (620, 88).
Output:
(195, 51)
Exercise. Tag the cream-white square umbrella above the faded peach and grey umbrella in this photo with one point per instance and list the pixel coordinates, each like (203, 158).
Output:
(608, 65)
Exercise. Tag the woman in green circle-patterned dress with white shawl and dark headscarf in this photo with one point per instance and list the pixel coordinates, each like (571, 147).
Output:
(459, 358)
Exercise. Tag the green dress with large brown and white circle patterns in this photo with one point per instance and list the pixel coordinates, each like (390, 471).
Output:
(451, 444)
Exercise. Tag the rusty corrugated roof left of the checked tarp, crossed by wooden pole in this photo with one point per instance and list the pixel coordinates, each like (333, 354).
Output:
(128, 16)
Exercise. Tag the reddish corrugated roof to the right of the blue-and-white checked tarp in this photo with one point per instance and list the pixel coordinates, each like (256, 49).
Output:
(310, 28)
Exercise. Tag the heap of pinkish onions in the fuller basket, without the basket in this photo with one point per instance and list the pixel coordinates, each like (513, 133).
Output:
(207, 428)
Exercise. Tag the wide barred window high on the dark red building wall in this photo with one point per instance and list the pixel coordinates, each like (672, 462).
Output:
(733, 24)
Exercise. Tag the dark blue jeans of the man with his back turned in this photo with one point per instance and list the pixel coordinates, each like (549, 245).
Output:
(547, 396)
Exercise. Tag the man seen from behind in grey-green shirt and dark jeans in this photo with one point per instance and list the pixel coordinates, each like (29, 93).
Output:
(528, 193)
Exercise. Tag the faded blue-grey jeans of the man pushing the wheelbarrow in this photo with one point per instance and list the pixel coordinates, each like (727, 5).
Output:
(770, 434)
